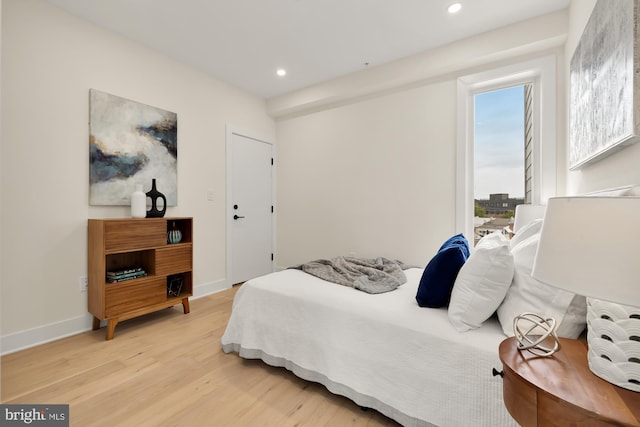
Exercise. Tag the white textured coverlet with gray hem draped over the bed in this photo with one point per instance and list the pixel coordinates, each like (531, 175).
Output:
(382, 351)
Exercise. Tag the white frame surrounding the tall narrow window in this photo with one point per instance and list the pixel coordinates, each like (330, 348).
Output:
(541, 172)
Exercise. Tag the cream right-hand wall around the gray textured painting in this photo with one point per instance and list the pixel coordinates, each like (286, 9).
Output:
(617, 170)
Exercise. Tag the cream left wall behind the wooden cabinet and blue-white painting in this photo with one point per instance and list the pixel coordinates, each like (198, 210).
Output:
(50, 60)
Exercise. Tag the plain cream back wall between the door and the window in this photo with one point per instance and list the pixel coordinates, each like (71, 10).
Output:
(374, 178)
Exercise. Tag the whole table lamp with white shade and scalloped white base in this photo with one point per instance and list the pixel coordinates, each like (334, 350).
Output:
(591, 246)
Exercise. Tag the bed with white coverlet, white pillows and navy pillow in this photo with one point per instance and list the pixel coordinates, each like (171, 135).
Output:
(420, 366)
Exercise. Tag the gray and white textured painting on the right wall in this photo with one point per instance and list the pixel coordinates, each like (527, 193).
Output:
(604, 89)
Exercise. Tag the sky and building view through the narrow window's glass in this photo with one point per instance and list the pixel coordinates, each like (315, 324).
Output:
(499, 158)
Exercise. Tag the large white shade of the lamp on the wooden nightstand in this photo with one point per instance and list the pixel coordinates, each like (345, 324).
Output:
(591, 246)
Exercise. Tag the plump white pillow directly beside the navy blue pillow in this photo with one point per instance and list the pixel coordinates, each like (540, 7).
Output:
(482, 283)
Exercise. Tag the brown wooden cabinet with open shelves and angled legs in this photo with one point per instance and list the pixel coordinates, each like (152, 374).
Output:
(121, 244)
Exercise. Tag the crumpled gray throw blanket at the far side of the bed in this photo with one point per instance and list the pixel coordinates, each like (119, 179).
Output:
(374, 276)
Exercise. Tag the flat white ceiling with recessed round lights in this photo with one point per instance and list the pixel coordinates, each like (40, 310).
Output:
(244, 42)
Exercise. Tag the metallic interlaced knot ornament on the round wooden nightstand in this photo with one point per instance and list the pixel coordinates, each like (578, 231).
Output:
(533, 331)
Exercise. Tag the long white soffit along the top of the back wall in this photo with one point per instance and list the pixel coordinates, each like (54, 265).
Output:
(536, 36)
